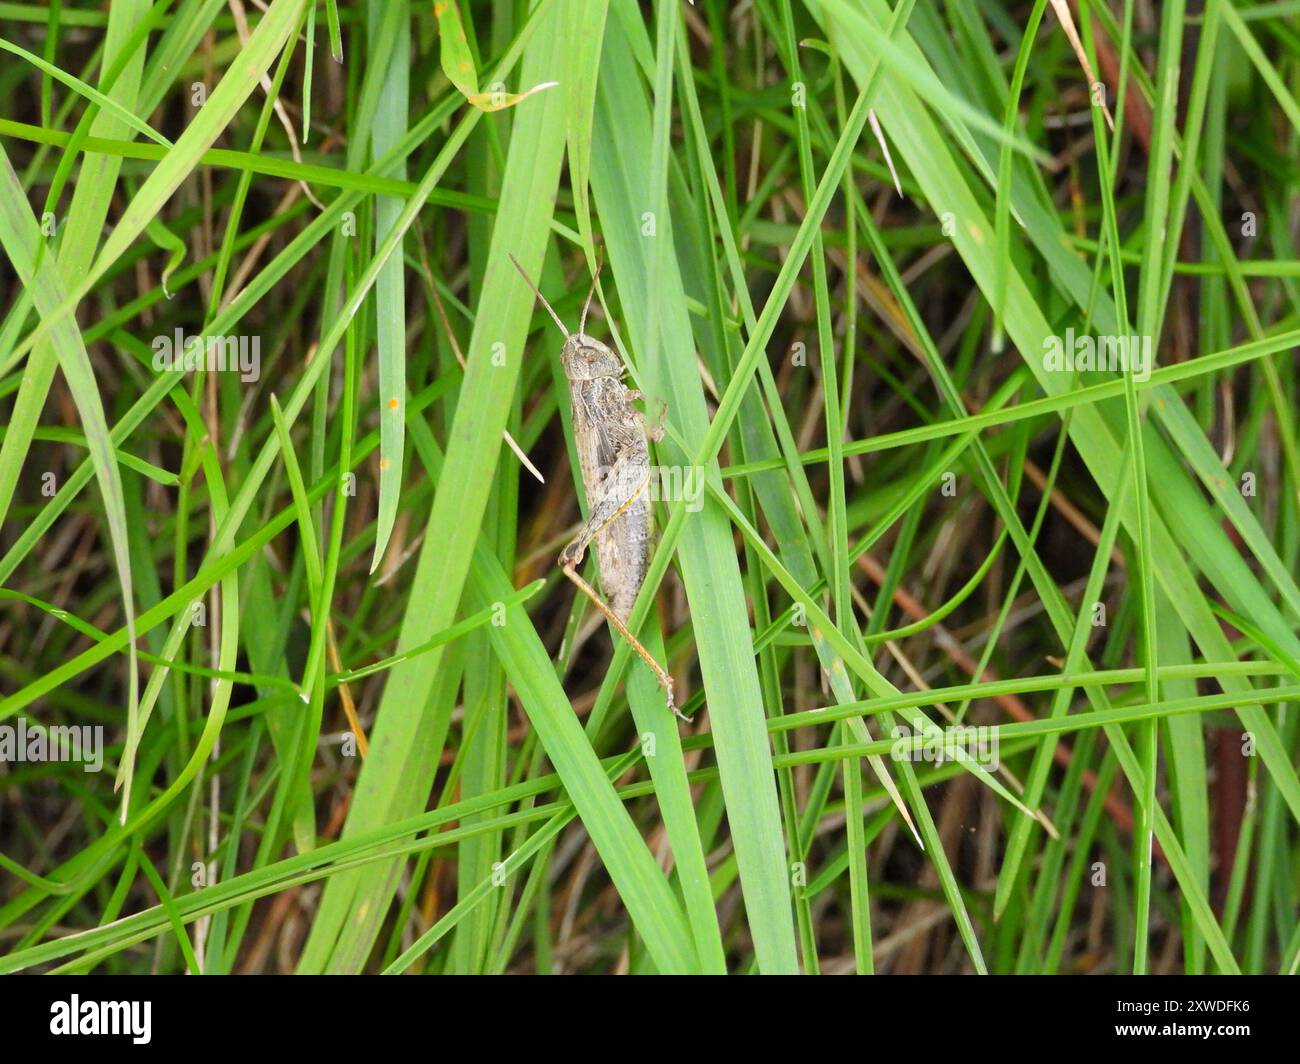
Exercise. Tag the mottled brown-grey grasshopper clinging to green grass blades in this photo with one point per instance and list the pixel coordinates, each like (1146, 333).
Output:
(614, 460)
